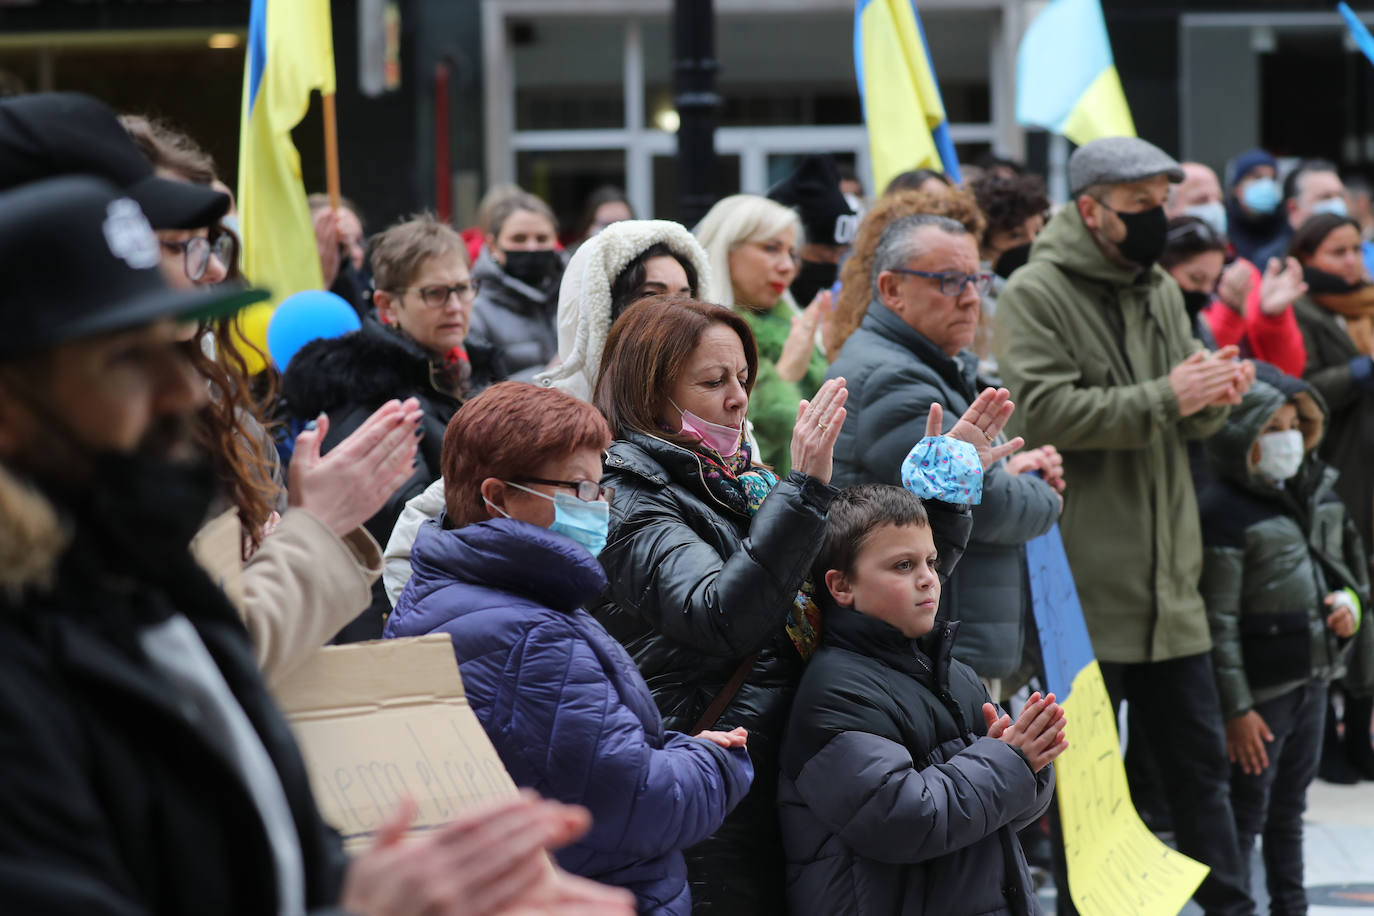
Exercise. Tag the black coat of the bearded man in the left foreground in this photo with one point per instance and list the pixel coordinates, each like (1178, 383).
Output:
(112, 797)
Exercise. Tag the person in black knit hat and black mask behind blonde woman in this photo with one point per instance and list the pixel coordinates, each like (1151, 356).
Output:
(828, 219)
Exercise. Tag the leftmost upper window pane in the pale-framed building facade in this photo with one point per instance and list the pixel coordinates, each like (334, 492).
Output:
(568, 73)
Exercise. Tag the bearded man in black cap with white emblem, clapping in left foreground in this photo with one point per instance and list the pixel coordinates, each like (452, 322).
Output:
(145, 767)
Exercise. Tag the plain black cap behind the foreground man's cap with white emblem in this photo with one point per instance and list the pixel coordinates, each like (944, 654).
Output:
(52, 134)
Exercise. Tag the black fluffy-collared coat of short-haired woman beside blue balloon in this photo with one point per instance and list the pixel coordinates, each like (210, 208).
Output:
(350, 378)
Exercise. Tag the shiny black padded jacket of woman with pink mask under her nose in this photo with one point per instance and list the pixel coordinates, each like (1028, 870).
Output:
(695, 591)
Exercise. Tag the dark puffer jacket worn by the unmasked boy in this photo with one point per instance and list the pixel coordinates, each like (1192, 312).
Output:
(892, 799)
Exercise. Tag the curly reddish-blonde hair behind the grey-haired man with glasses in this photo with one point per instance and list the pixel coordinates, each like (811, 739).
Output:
(857, 277)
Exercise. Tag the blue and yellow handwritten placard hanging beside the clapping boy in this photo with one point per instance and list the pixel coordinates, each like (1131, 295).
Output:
(1116, 865)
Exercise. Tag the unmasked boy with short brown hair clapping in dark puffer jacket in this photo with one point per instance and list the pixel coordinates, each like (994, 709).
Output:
(902, 786)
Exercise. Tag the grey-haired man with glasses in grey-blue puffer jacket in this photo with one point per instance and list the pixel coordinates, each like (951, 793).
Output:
(913, 351)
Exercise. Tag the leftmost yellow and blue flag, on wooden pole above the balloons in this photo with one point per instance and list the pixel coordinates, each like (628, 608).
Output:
(291, 53)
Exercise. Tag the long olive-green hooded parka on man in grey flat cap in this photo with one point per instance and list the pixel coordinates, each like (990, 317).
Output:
(1086, 348)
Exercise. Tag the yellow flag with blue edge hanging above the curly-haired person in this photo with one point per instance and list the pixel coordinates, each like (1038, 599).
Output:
(902, 106)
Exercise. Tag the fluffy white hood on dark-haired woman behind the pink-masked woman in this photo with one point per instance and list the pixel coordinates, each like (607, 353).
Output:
(585, 297)
